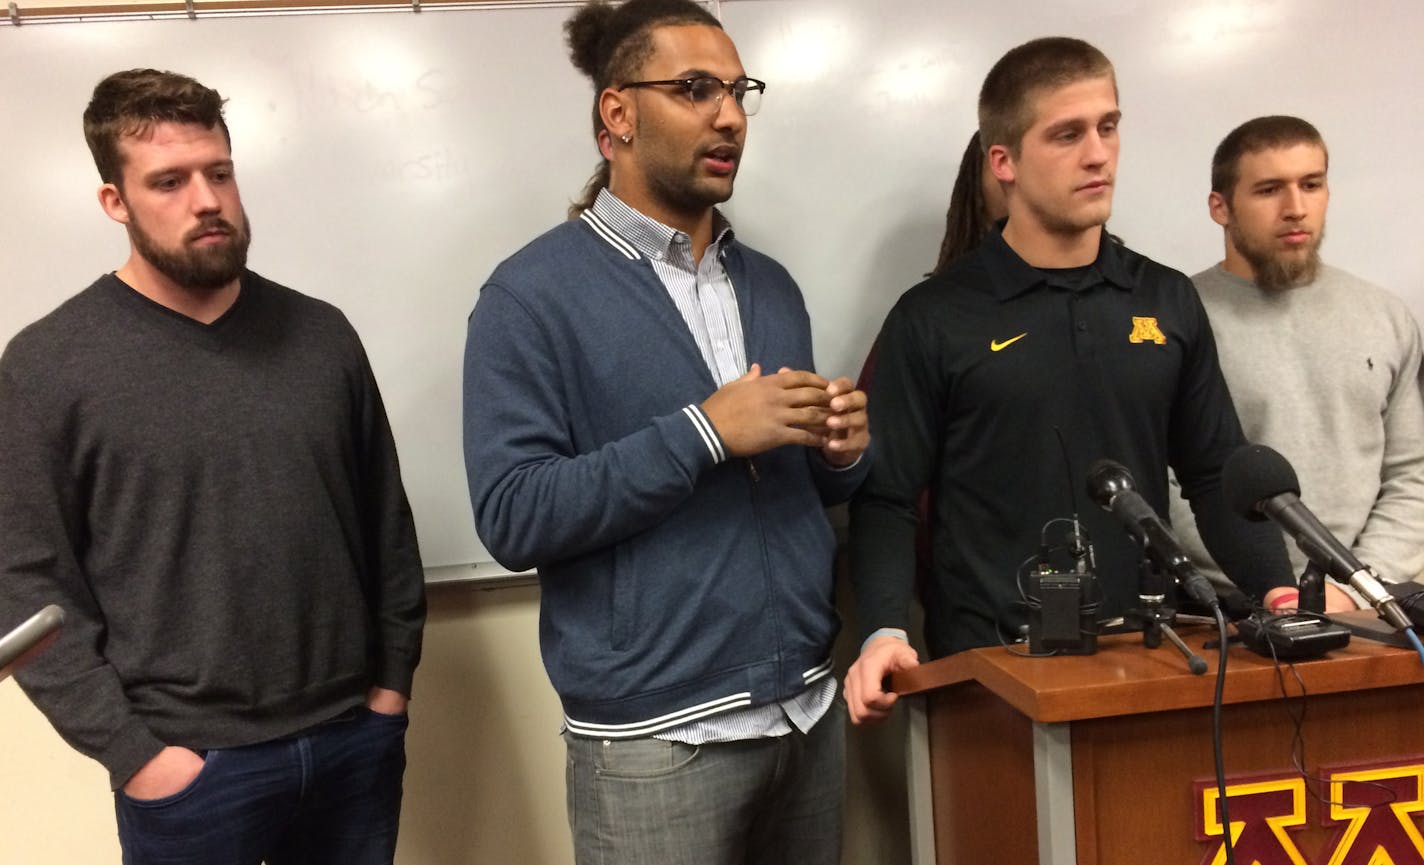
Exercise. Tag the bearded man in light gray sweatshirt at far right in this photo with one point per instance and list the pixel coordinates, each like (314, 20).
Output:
(1324, 367)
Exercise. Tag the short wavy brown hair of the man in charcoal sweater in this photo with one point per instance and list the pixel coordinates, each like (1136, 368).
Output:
(133, 102)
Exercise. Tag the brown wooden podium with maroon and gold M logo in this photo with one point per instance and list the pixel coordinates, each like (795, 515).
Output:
(1091, 760)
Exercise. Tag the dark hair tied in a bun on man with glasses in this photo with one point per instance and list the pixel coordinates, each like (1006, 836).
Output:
(610, 45)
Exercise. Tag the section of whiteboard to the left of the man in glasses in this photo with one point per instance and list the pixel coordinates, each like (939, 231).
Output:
(388, 163)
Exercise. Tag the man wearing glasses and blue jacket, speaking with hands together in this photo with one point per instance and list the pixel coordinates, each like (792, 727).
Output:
(643, 427)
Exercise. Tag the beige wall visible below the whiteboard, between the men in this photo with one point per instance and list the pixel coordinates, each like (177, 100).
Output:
(486, 775)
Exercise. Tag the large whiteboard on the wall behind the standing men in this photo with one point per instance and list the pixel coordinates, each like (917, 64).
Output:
(391, 160)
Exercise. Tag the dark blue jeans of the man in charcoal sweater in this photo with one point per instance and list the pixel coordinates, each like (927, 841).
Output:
(327, 796)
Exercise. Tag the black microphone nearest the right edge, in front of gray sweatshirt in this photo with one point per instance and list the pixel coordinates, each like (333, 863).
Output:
(1260, 484)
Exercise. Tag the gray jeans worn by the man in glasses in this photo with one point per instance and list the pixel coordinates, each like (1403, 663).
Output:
(765, 802)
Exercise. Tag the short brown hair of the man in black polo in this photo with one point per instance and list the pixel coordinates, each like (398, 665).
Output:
(1007, 99)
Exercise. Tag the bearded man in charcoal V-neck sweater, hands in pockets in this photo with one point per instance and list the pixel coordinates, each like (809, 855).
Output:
(199, 470)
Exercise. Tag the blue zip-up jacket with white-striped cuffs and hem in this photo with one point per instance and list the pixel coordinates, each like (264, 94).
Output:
(677, 584)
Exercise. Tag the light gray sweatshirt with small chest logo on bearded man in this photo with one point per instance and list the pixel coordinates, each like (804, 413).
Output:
(1329, 375)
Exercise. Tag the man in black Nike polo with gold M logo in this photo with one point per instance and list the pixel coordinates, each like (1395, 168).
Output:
(1047, 326)
